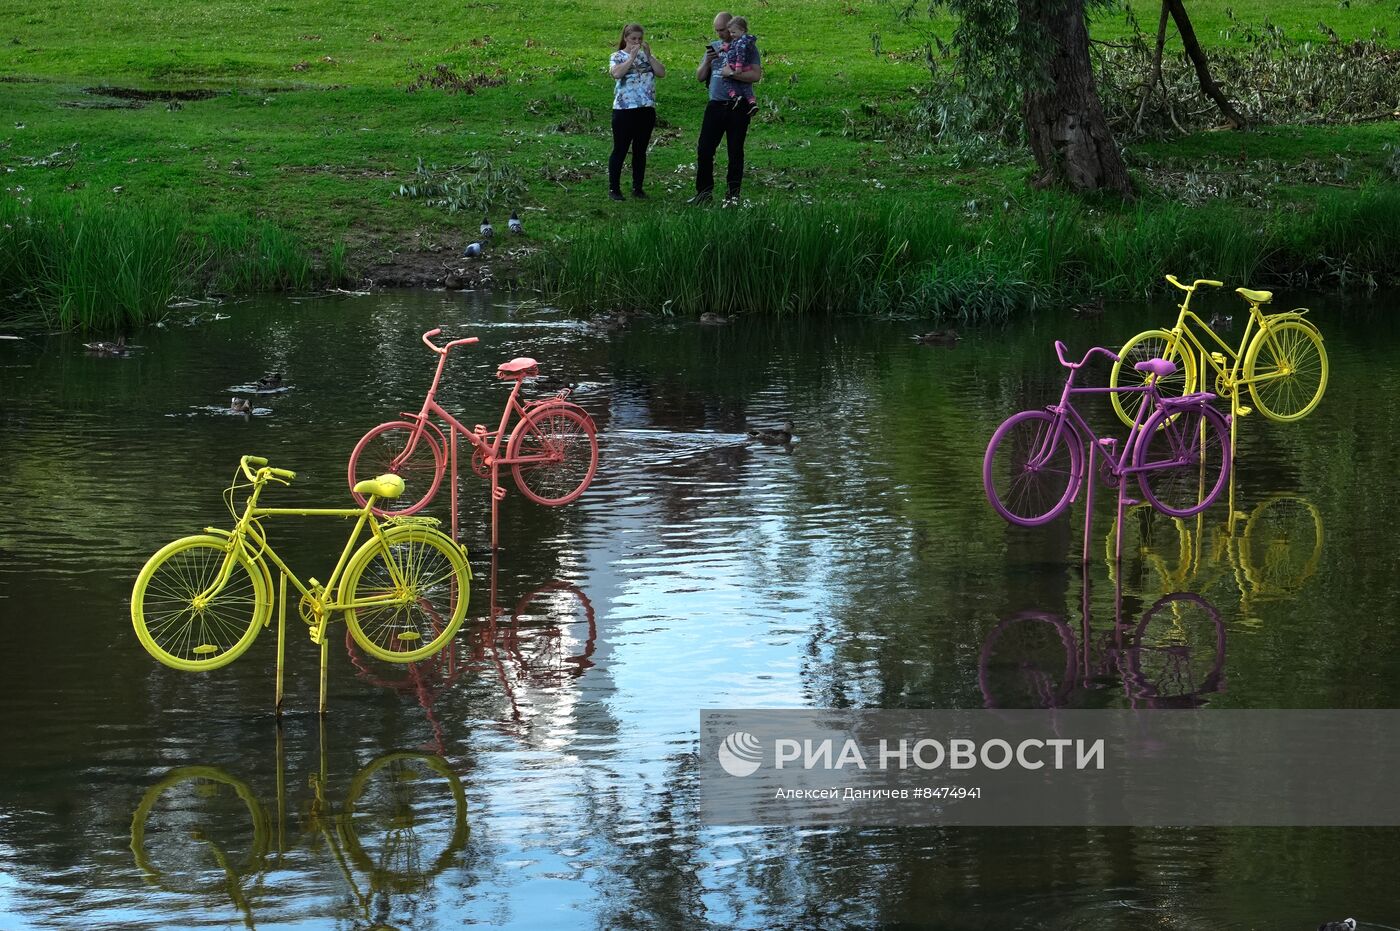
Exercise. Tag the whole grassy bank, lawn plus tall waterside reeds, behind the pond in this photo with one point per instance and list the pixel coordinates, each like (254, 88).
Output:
(341, 138)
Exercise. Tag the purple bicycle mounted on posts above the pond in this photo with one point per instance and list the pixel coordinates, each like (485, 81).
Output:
(1178, 449)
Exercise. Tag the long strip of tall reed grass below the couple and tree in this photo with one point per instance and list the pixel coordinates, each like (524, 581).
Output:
(898, 260)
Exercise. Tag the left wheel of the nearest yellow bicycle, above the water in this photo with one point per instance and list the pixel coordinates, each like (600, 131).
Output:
(185, 625)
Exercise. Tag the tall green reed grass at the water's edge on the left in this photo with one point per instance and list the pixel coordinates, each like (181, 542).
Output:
(79, 264)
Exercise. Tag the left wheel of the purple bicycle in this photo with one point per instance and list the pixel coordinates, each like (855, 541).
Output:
(1028, 481)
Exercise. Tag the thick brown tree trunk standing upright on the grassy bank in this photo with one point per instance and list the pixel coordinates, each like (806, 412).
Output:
(1065, 118)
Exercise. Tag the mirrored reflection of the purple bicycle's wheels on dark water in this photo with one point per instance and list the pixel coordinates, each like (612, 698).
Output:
(1171, 659)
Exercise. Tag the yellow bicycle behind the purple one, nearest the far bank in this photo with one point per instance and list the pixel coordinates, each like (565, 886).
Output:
(1280, 359)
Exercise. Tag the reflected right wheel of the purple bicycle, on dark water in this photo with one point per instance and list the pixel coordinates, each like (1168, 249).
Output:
(1178, 653)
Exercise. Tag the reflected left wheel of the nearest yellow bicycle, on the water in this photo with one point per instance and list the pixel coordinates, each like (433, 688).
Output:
(195, 822)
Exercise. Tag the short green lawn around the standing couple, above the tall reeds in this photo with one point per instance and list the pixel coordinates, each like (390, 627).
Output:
(296, 149)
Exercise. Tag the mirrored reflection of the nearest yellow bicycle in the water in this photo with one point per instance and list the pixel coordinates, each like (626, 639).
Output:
(202, 832)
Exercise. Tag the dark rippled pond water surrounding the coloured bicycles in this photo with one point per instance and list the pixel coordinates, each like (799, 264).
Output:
(547, 764)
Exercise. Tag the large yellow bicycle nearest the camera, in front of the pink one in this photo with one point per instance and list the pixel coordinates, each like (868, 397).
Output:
(201, 601)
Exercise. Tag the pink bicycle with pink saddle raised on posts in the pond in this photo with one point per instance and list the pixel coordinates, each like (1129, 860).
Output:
(552, 450)
